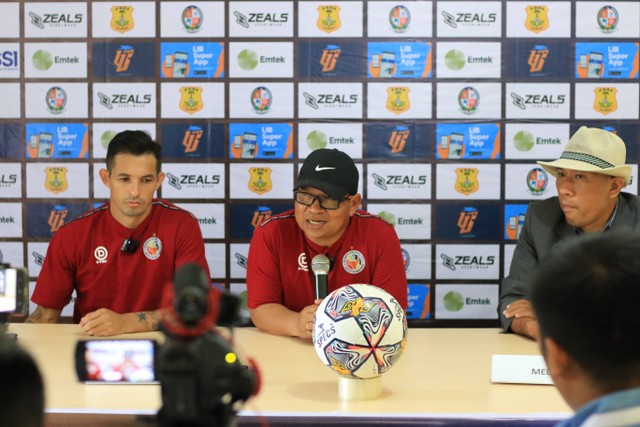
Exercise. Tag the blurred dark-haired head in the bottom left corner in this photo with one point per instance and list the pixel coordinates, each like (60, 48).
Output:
(22, 390)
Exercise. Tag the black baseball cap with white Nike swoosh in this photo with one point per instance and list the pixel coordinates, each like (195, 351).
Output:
(330, 171)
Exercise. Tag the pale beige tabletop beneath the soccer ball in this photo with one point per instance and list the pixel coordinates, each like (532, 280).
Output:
(443, 372)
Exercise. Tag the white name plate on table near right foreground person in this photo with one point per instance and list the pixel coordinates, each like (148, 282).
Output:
(519, 369)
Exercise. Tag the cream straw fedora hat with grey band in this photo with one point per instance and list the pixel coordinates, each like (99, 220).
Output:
(593, 150)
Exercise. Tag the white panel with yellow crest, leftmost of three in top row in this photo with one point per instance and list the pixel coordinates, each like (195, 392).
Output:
(128, 20)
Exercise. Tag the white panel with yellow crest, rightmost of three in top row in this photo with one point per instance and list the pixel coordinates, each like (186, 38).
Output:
(539, 20)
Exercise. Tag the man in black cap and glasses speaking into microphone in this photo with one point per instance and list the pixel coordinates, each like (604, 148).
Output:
(360, 247)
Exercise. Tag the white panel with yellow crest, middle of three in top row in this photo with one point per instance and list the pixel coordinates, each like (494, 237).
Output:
(338, 19)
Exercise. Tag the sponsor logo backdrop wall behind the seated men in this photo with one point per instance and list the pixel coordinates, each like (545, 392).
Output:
(444, 105)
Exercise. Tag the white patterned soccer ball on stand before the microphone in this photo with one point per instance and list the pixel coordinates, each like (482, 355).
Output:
(359, 331)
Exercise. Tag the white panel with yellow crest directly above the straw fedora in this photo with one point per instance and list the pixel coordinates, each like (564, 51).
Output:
(606, 101)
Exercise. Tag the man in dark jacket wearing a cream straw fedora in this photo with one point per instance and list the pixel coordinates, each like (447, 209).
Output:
(590, 174)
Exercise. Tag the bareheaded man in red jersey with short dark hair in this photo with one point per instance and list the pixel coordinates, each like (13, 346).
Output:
(119, 257)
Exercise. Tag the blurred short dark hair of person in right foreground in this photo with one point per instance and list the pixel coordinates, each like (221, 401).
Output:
(586, 296)
